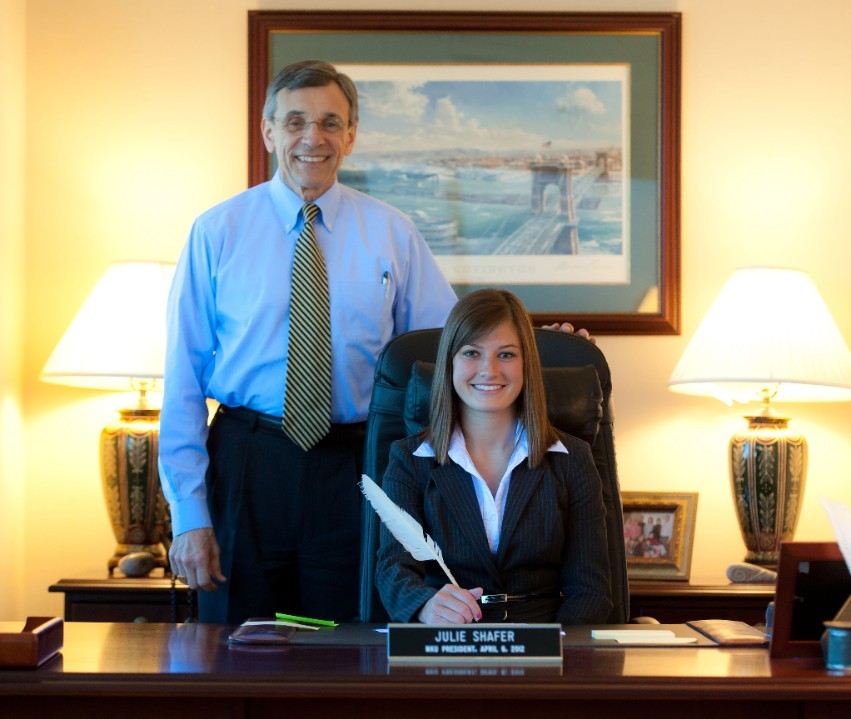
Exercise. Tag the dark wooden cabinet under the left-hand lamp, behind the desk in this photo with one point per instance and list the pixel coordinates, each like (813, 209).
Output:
(121, 599)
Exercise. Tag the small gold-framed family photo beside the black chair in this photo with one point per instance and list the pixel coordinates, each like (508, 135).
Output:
(658, 534)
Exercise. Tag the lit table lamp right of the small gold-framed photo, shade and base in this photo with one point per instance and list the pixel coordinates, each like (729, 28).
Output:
(768, 337)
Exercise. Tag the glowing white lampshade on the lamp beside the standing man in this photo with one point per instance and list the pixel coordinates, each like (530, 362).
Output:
(117, 338)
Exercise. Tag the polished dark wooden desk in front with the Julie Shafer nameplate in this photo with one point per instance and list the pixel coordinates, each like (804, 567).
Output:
(165, 671)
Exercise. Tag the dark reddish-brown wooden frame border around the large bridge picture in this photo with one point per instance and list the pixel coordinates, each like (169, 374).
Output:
(667, 26)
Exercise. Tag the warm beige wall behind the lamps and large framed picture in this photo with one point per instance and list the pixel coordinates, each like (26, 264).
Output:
(135, 122)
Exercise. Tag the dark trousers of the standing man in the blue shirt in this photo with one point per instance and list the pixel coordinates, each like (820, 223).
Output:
(287, 521)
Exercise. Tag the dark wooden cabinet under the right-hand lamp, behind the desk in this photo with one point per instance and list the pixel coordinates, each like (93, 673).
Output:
(679, 602)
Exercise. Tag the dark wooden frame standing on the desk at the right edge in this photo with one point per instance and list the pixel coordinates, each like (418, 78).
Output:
(813, 584)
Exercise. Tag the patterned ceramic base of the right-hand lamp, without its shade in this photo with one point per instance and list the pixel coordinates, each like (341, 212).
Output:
(768, 469)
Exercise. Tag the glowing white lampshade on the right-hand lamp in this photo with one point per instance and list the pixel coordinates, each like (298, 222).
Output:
(768, 329)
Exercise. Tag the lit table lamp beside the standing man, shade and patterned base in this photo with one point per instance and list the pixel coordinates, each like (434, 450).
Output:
(116, 341)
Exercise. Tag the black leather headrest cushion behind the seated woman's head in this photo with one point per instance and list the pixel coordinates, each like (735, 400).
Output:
(574, 399)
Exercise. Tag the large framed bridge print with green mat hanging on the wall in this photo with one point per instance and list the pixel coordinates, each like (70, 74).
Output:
(534, 151)
